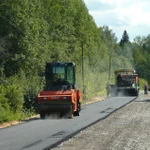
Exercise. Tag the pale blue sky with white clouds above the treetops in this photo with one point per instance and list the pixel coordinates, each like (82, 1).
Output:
(119, 15)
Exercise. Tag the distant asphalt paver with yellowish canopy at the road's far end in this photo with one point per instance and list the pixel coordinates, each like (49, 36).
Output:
(126, 83)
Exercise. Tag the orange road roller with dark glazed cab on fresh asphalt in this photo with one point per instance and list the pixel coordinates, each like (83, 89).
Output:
(60, 93)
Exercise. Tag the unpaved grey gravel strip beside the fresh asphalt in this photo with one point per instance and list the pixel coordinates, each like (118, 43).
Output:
(126, 129)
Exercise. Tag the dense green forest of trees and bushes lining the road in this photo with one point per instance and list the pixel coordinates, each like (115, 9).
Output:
(33, 32)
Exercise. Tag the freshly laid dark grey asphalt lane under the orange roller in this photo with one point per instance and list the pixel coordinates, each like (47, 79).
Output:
(40, 134)
